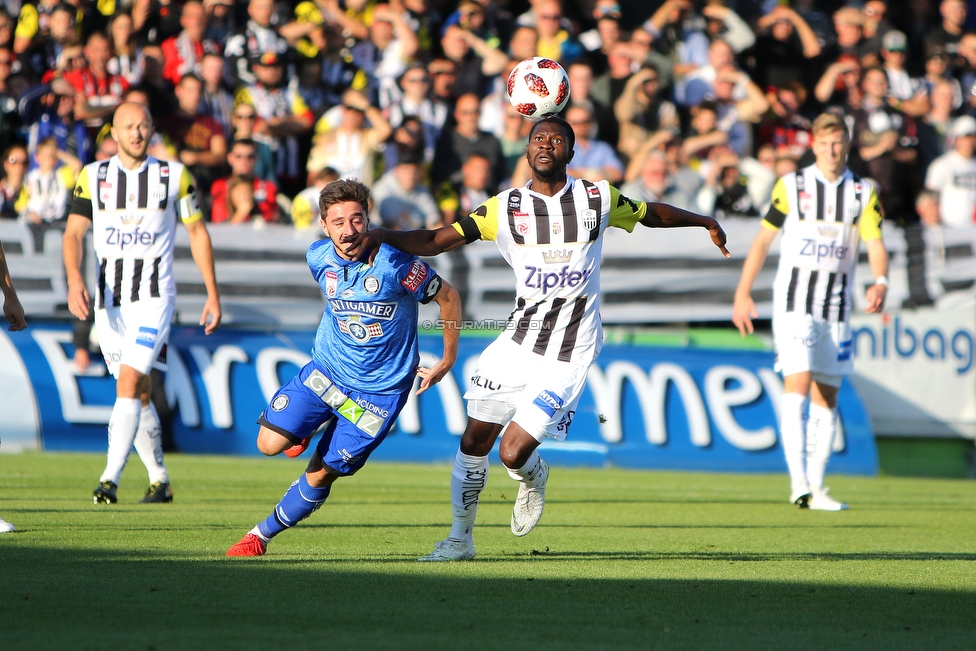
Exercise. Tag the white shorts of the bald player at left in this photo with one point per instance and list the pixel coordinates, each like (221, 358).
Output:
(135, 334)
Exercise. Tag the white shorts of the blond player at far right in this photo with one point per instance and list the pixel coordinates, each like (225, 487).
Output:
(807, 345)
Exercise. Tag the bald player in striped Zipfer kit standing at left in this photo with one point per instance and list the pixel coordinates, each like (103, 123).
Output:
(133, 203)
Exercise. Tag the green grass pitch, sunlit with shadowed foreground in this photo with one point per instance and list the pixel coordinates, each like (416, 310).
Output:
(621, 560)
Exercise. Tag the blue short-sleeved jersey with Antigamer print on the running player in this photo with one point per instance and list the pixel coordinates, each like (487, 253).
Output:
(368, 334)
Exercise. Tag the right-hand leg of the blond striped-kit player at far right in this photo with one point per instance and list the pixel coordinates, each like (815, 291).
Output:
(821, 430)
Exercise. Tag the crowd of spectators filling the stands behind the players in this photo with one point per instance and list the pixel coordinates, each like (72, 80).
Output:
(700, 103)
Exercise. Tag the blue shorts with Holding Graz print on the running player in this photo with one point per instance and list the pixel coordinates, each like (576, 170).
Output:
(357, 421)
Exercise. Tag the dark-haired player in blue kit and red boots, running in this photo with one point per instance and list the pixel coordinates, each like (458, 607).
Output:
(363, 362)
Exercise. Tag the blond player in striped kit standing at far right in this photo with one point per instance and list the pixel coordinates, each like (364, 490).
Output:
(823, 211)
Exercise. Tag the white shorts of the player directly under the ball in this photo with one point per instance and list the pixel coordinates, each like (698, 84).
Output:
(514, 384)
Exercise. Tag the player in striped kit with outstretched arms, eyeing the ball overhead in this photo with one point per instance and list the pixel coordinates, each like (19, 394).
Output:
(531, 377)
